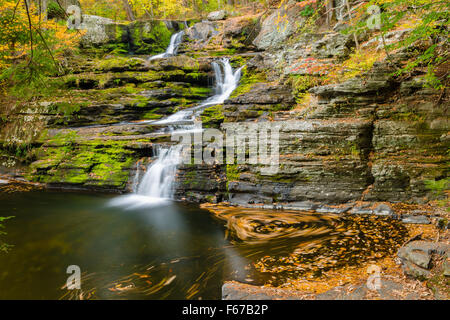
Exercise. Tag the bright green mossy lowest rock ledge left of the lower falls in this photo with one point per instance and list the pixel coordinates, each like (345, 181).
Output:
(65, 158)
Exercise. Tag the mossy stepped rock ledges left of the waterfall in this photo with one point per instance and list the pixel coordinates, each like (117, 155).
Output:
(90, 133)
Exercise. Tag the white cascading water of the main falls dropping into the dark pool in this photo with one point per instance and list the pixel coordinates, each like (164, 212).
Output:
(157, 185)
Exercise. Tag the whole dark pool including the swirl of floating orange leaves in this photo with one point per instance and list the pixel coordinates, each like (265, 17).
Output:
(171, 252)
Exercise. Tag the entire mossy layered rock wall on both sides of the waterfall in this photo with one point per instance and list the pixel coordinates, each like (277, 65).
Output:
(374, 137)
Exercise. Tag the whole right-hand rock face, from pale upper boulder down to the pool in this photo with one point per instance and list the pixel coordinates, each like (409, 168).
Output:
(372, 137)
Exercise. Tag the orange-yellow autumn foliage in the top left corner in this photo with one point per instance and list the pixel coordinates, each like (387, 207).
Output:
(30, 45)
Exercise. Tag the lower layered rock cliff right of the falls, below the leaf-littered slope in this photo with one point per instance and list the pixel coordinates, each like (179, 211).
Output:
(369, 138)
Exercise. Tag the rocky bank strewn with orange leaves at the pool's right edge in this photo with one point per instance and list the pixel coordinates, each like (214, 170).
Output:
(398, 279)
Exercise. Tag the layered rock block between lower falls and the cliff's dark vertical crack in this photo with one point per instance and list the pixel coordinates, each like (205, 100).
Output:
(307, 172)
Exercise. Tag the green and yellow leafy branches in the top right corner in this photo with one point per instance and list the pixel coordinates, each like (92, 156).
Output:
(427, 24)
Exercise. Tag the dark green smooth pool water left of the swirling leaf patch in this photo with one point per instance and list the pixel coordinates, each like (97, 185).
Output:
(171, 252)
